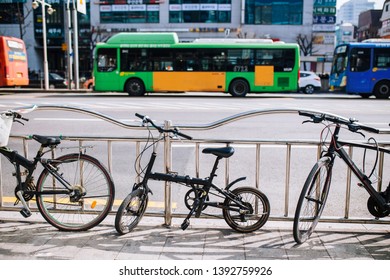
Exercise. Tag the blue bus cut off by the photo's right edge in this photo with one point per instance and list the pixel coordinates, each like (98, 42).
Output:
(362, 68)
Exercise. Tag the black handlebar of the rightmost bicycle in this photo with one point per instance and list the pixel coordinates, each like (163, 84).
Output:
(352, 124)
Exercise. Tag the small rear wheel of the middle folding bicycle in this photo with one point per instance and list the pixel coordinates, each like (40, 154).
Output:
(244, 220)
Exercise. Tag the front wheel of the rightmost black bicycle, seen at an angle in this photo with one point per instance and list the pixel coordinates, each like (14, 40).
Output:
(312, 200)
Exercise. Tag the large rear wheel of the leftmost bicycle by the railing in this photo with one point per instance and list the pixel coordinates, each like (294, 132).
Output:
(89, 202)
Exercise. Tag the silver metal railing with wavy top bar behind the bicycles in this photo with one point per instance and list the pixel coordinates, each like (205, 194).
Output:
(284, 213)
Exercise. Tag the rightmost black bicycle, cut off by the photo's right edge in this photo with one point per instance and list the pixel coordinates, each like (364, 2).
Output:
(315, 191)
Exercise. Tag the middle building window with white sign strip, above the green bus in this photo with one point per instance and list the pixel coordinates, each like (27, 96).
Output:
(201, 11)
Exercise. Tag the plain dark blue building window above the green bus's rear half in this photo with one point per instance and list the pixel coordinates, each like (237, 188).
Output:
(269, 12)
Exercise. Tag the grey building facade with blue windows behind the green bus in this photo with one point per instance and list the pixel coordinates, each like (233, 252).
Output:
(277, 19)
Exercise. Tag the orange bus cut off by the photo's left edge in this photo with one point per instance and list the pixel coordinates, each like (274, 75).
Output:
(13, 62)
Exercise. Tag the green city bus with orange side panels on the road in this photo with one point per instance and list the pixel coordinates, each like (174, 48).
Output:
(137, 63)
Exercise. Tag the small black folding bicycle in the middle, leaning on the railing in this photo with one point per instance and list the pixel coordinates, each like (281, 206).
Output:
(244, 209)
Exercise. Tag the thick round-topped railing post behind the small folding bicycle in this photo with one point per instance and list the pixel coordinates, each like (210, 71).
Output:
(168, 165)
